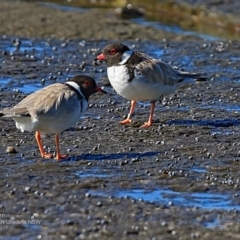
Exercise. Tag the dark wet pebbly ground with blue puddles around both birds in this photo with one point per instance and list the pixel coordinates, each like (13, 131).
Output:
(191, 151)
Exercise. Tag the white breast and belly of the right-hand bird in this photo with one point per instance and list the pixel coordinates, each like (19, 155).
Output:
(139, 88)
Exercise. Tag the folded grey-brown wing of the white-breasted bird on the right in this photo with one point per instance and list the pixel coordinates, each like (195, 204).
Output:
(160, 72)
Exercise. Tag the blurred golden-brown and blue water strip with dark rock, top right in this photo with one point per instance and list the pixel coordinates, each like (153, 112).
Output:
(218, 18)
